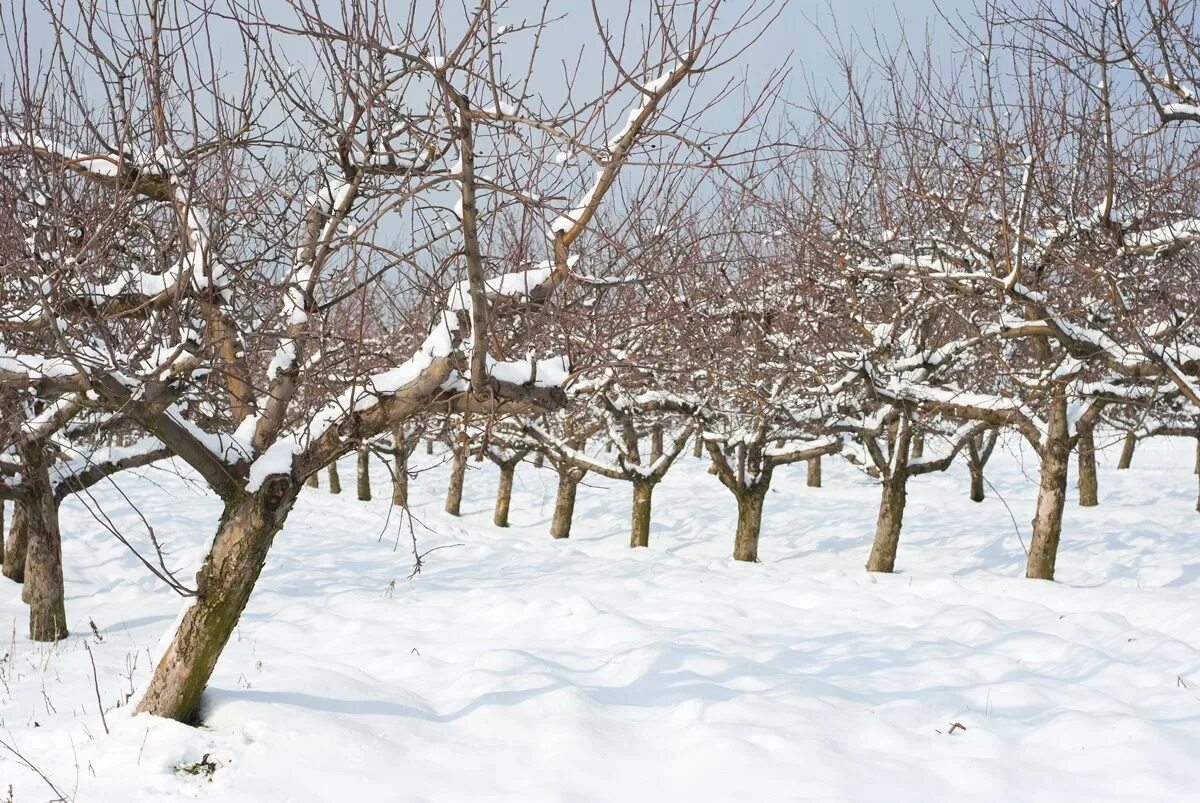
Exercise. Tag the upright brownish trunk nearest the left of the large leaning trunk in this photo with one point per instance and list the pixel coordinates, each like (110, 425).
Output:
(44, 554)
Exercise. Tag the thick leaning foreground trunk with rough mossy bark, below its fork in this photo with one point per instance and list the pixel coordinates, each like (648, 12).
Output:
(231, 570)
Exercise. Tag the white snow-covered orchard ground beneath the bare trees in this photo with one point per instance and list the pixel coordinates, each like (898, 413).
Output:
(515, 668)
